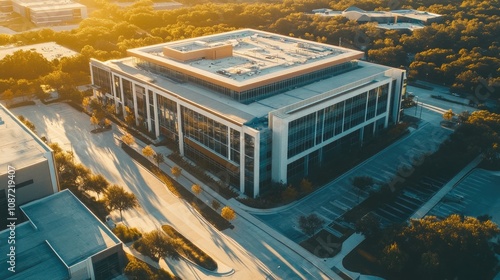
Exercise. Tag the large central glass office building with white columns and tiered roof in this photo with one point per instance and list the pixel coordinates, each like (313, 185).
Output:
(253, 106)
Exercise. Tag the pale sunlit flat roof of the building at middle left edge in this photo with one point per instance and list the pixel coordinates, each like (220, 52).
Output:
(19, 146)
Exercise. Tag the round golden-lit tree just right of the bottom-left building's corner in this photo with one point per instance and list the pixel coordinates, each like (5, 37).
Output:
(158, 245)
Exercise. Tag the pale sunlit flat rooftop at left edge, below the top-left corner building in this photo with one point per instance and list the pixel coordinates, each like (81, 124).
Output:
(49, 50)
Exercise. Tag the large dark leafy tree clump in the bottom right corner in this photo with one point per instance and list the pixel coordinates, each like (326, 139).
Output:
(443, 249)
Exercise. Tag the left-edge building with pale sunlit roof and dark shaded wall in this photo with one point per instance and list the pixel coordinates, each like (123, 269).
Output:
(34, 175)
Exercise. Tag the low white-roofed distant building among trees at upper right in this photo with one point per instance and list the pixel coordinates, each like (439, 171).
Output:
(392, 20)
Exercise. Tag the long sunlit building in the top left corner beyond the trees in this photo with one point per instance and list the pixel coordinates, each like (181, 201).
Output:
(49, 12)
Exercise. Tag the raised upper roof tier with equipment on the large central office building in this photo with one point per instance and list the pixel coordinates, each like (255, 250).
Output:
(245, 56)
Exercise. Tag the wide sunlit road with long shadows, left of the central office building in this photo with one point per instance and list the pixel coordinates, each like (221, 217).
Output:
(252, 253)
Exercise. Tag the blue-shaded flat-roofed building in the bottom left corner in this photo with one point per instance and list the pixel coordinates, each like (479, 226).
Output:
(62, 239)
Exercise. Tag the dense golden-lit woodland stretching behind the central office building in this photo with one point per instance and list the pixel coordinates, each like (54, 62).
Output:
(462, 51)
